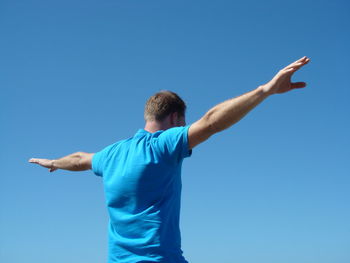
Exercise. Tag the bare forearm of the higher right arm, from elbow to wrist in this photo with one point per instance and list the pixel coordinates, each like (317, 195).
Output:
(229, 112)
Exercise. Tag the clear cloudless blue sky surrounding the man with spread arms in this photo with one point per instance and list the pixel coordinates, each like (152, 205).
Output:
(74, 76)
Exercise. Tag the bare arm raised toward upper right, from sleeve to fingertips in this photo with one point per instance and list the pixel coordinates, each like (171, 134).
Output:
(227, 113)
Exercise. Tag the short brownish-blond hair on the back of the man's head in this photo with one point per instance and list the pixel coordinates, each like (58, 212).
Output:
(163, 103)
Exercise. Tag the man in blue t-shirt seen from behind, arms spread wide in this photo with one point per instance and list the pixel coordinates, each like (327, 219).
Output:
(142, 175)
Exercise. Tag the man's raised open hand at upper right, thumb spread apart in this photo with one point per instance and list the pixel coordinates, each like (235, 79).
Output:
(281, 83)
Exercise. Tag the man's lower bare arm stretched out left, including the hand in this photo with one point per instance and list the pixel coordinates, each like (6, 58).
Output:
(78, 161)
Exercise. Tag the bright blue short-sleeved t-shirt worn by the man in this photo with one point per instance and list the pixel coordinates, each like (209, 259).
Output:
(142, 184)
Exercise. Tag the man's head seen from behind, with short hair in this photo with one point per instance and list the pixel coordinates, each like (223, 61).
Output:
(166, 109)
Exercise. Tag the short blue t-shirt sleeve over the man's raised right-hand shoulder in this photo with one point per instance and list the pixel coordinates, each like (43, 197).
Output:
(173, 143)
